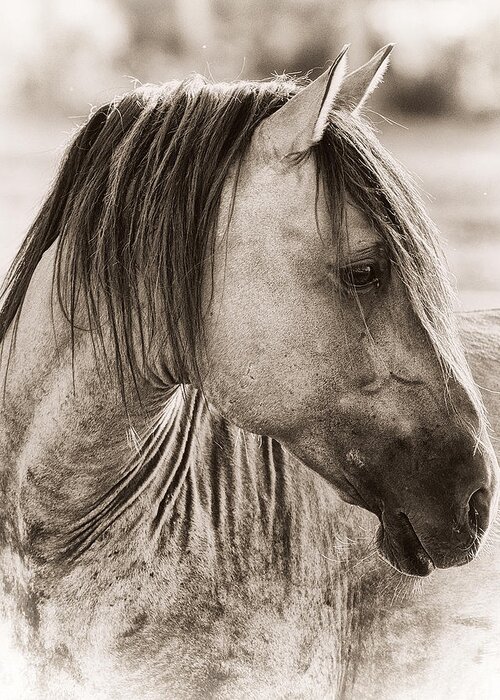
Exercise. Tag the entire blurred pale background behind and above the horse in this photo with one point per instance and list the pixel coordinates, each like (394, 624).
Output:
(440, 100)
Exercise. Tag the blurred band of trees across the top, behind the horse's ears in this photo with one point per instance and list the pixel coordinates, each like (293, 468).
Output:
(56, 55)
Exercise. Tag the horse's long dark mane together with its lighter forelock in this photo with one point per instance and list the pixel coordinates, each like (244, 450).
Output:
(134, 209)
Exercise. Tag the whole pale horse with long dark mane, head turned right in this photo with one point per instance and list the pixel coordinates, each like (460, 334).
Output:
(242, 451)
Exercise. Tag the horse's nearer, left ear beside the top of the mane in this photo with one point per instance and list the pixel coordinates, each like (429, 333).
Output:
(301, 122)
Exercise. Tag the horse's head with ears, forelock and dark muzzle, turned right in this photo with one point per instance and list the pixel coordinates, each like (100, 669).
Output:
(328, 325)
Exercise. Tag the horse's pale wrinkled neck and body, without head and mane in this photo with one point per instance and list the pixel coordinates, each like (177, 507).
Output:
(221, 566)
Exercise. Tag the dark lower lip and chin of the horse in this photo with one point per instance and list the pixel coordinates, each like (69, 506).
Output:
(400, 546)
